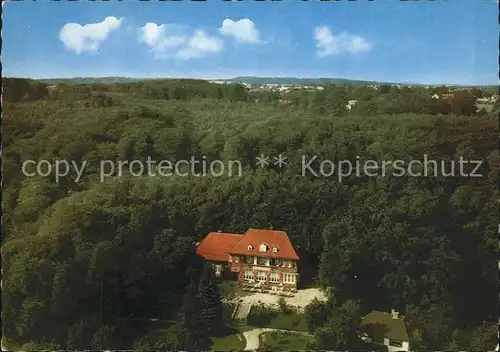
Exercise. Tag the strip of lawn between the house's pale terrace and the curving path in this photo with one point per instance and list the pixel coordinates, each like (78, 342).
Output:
(263, 318)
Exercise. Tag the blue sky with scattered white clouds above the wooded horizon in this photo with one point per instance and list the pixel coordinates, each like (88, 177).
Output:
(427, 42)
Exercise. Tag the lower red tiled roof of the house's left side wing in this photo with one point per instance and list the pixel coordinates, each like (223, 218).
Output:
(216, 245)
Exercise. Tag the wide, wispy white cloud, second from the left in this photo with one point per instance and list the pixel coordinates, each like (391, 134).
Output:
(168, 41)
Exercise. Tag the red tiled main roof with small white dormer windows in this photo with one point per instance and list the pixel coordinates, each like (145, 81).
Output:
(271, 238)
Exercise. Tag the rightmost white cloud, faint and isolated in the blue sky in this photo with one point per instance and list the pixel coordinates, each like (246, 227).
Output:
(344, 43)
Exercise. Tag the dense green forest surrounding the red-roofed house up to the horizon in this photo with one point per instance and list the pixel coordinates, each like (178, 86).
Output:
(83, 261)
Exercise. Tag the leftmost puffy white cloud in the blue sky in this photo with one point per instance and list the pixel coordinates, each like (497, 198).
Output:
(87, 38)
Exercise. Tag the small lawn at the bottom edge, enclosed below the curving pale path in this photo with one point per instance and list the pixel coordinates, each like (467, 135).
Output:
(285, 341)
